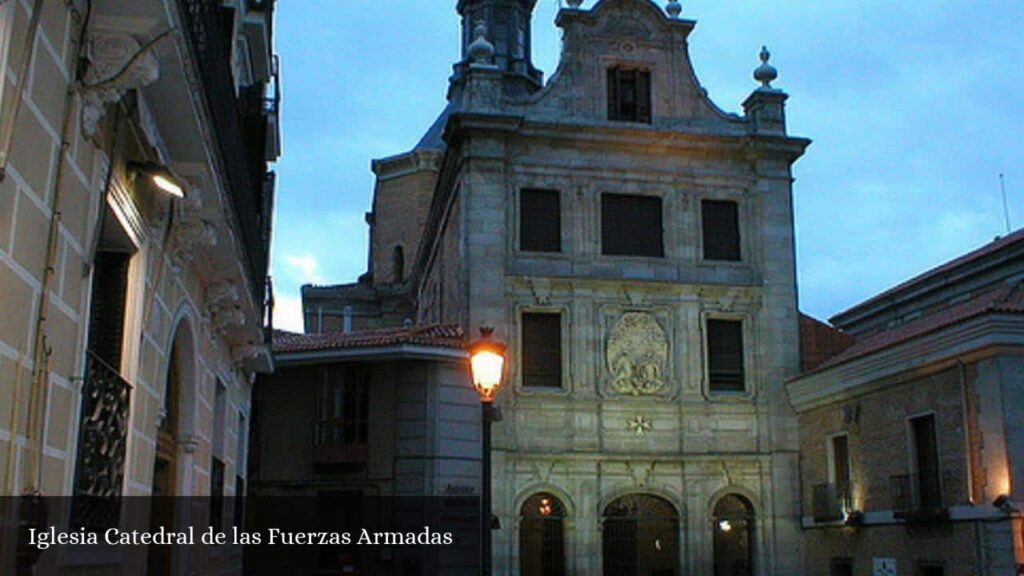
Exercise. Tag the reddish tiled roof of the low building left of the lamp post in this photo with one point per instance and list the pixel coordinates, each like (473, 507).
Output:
(435, 336)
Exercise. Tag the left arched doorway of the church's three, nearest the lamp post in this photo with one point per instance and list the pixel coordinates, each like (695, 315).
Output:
(542, 537)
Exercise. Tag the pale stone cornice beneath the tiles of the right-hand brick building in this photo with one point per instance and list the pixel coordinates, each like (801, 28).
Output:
(979, 338)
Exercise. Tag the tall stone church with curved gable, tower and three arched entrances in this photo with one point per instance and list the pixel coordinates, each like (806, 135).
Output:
(634, 245)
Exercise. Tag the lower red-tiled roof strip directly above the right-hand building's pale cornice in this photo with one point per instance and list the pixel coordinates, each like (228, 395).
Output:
(1005, 300)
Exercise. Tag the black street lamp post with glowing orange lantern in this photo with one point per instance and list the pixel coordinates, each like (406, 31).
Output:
(487, 357)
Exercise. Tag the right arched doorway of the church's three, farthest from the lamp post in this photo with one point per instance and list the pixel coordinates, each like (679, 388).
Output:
(734, 524)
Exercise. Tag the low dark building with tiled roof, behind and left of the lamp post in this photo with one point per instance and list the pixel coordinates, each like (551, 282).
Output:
(349, 418)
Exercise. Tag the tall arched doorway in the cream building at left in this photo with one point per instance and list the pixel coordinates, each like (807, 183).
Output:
(164, 508)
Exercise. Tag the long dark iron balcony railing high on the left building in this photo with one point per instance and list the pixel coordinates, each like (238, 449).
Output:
(208, 28)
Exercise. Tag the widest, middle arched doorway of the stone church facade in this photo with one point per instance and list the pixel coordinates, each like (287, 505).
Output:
(642, 538)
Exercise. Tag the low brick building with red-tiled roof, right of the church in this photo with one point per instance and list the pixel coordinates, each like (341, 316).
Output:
(911, 438)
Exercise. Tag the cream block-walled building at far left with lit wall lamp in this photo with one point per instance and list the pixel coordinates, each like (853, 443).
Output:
(135, 226)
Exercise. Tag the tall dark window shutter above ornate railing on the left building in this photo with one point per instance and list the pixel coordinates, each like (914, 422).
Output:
(107, 316)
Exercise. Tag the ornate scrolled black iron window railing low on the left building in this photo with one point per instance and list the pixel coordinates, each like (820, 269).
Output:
(103, 434)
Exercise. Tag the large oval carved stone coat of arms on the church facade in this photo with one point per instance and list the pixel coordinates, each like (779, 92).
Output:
(638, 355)
